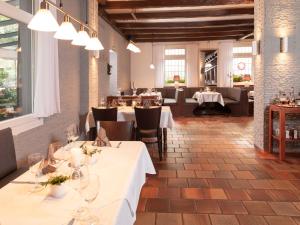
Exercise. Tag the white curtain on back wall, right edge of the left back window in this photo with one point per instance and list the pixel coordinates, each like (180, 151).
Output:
(192, 76)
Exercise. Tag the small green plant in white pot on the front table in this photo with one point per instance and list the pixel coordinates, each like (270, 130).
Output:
(57, 185)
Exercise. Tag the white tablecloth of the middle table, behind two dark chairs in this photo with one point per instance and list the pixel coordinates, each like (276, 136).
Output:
(127, 114)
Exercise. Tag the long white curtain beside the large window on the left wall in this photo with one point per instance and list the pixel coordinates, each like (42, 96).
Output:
(47, 95)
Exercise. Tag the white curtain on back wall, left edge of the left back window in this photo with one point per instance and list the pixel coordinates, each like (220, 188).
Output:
(159, 56)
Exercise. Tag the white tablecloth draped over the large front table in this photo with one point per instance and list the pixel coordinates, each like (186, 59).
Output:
(122, 174)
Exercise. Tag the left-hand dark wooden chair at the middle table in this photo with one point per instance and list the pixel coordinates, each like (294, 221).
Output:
(102, 114)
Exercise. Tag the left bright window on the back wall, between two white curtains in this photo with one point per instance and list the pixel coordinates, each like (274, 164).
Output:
(175, 64)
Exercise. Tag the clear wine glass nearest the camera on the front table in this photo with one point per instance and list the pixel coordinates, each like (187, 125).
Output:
(89, 193)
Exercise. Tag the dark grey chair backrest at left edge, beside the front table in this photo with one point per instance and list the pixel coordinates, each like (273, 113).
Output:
(8, 162)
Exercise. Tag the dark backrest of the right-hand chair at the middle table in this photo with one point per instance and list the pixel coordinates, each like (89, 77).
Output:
(148, 118)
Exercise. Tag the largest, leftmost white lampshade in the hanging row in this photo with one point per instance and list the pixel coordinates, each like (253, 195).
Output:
(44, 21)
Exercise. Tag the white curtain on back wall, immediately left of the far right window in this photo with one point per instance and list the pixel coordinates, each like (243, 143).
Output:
(225, 57)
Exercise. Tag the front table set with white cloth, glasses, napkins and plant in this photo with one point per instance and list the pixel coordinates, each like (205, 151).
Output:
(87, 184)
